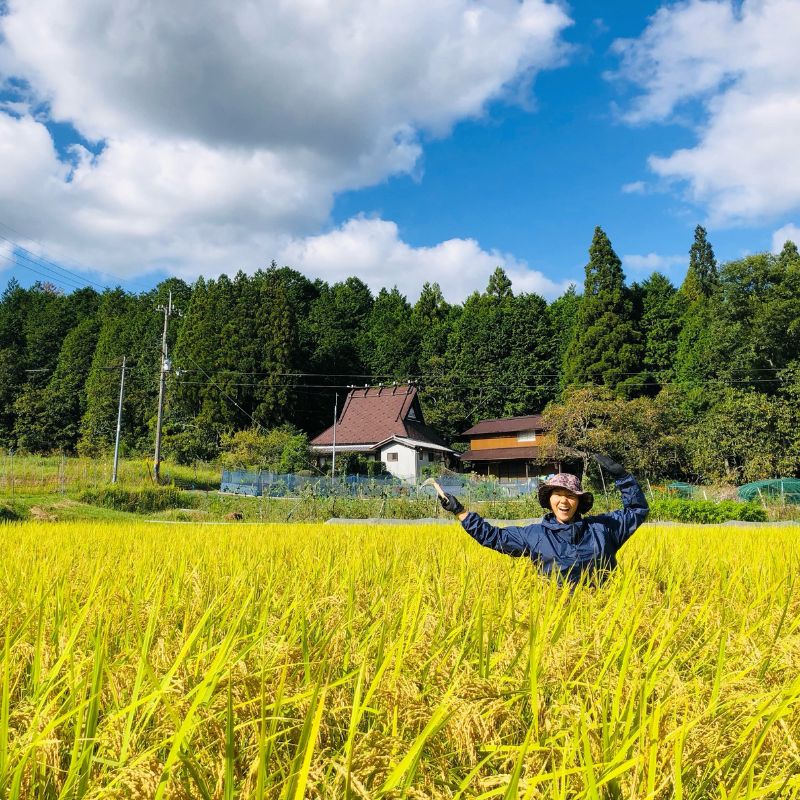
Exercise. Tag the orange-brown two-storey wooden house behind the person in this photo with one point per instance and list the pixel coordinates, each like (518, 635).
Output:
(511, 448)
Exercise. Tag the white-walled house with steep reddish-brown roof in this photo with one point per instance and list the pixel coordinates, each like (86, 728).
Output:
(384, 423)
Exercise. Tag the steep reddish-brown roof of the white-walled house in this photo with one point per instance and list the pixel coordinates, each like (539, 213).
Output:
(372, 414)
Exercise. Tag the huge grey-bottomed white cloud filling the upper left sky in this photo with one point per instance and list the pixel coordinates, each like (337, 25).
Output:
(225, 132)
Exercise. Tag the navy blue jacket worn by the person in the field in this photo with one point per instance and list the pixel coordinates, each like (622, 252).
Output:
(568, 549)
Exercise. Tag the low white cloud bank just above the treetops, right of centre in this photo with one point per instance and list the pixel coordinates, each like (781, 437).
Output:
(373, 250)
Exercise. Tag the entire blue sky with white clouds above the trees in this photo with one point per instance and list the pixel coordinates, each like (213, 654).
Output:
(399, 142)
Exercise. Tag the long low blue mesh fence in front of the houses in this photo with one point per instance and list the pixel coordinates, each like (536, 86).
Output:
(270, 484)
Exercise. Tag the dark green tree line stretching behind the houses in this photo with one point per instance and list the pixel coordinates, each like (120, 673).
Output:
(700, 381)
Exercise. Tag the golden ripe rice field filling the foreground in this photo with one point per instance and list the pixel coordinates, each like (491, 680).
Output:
(292, 661)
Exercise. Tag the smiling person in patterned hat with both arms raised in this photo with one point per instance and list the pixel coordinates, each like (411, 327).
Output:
(565, 543)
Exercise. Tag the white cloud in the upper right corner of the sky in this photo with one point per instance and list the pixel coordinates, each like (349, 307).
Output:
(737, 65)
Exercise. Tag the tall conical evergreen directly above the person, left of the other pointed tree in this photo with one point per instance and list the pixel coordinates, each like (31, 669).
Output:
(605, 349)
